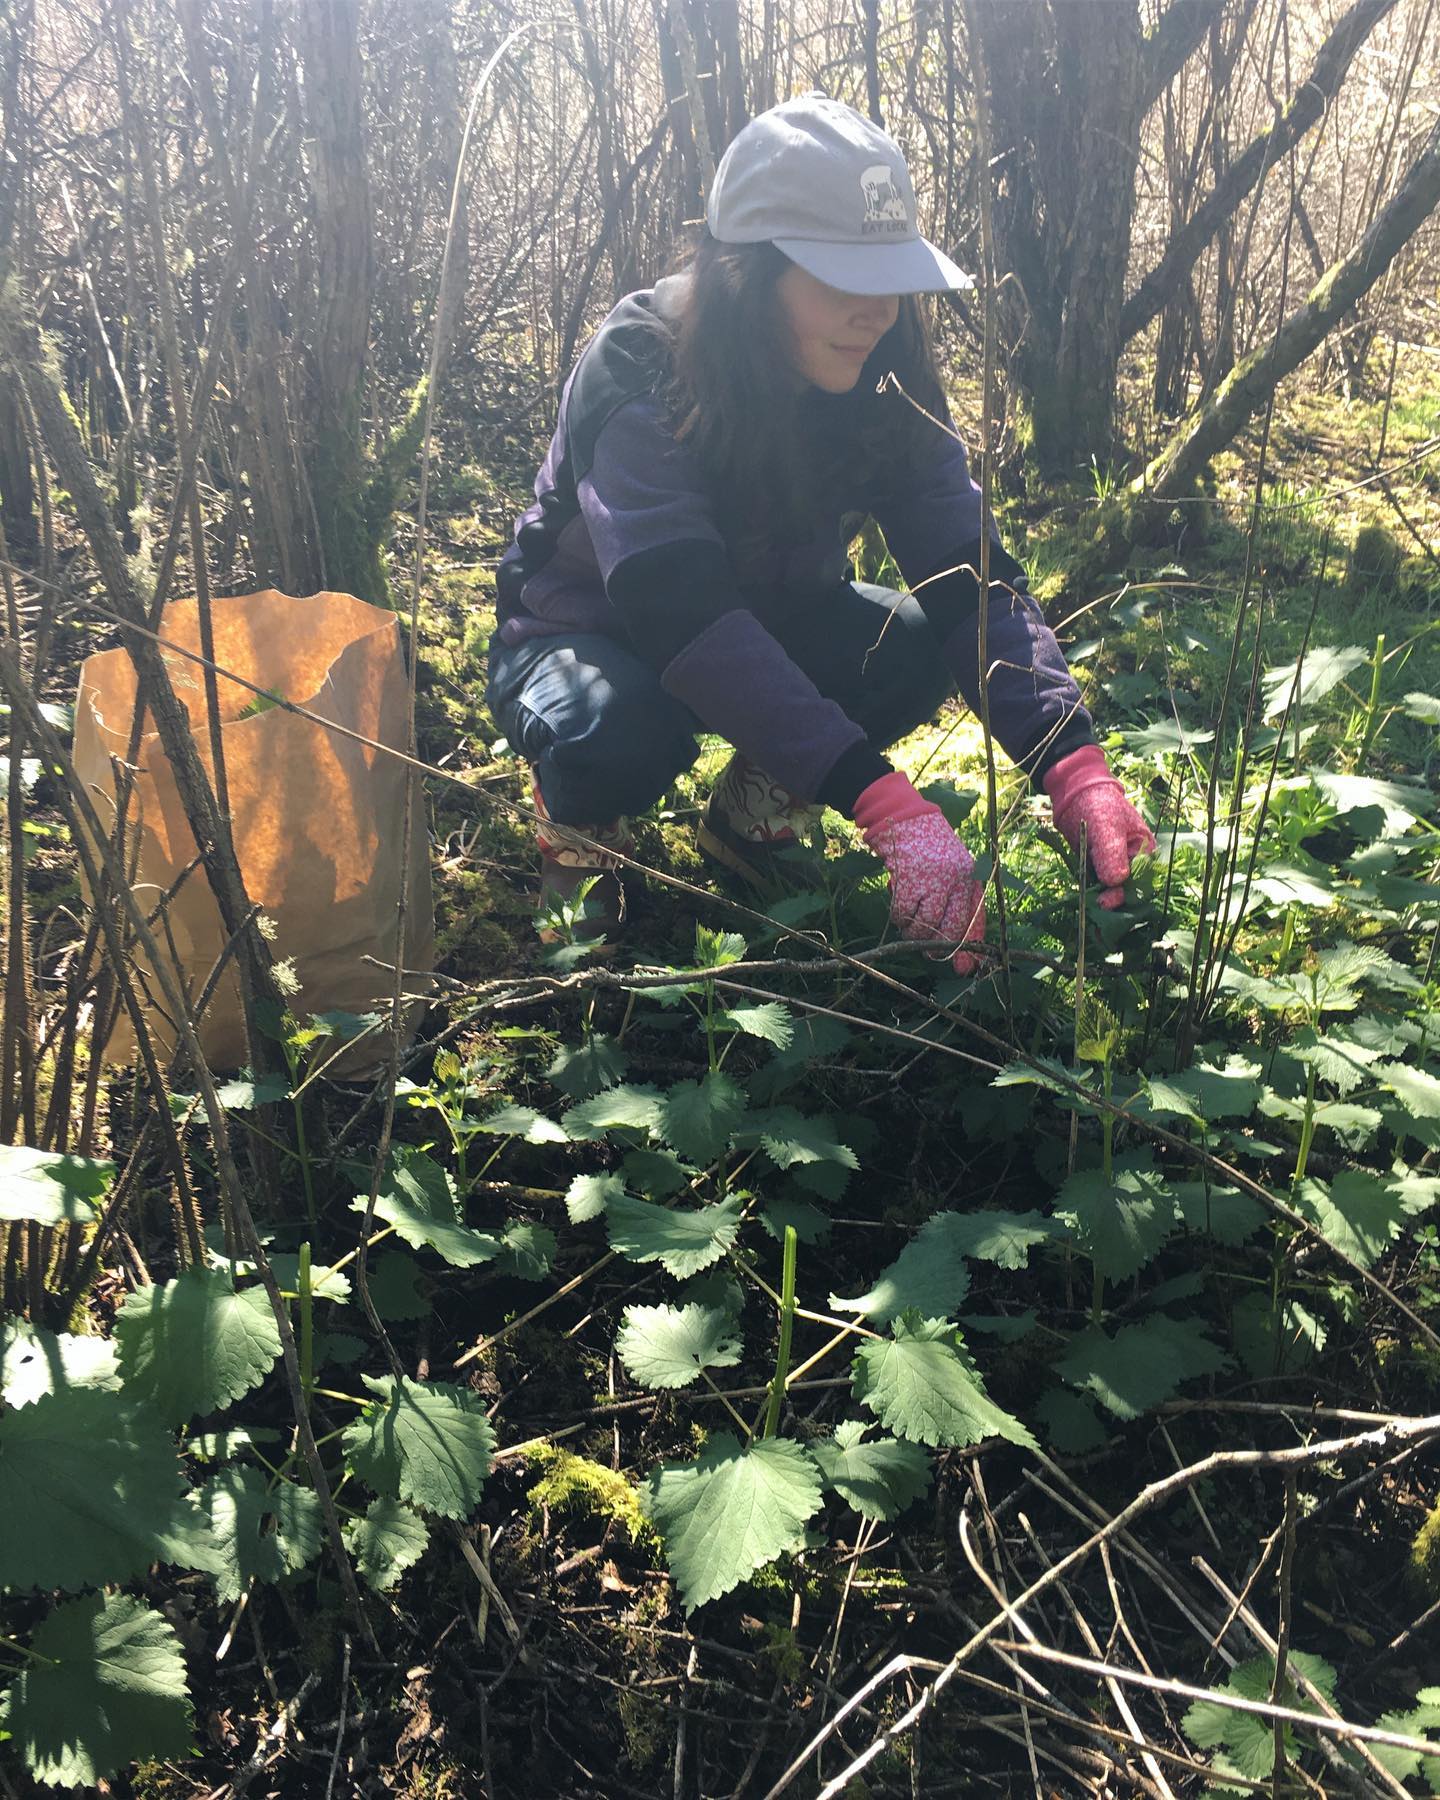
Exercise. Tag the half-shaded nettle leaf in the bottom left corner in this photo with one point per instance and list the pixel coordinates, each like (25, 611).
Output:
(107, 1689)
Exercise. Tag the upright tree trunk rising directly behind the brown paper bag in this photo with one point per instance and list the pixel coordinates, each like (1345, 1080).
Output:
(328, 35)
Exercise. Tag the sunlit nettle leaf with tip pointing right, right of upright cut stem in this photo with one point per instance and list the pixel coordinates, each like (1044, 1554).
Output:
(921, 1387)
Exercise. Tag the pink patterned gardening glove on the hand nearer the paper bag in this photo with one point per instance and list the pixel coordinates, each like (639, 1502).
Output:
(933, 888)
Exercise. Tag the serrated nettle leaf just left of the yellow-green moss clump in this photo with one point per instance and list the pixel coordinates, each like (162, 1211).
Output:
(426, 1443)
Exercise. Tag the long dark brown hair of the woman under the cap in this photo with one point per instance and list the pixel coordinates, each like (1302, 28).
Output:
(769, 449)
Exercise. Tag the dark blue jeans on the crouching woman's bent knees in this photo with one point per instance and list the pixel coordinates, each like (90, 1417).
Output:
(606, 739)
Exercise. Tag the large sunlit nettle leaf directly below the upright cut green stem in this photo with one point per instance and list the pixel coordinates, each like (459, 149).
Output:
(730, 1513)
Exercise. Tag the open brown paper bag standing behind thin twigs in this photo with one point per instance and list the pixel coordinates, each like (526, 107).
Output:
(318, 818)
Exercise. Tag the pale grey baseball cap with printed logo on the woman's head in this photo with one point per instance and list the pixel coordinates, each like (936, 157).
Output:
(832, 192)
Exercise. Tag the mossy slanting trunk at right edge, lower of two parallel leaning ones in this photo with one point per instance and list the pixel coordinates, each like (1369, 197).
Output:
(1248, 386)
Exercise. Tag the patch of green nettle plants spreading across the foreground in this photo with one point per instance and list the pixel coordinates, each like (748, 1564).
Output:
(1254, 1005)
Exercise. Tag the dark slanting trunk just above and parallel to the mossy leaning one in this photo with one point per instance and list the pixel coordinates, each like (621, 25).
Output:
(1333, 60)
